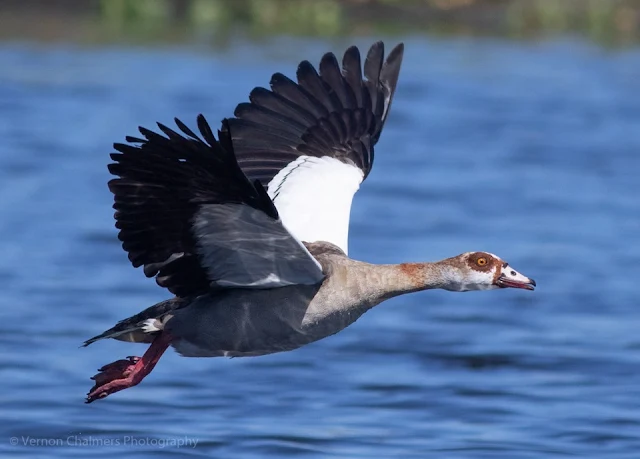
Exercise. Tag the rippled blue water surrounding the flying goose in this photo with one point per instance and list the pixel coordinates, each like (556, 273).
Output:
(527, 150)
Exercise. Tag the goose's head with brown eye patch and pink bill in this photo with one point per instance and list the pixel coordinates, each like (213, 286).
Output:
(482, 271)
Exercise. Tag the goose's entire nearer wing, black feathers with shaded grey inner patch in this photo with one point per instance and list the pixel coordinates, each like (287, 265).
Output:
(189, 215)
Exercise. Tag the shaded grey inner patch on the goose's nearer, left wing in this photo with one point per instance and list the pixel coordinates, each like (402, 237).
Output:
(243, 247)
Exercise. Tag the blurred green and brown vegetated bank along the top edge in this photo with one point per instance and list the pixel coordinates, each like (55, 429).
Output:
(609, 22)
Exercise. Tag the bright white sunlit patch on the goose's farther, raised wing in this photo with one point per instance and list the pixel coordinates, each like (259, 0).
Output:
(313, 197)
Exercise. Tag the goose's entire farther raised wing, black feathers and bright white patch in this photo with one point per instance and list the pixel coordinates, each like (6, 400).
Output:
(310, 143)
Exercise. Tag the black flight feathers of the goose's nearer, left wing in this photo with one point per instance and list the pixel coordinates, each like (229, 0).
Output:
(162, 182)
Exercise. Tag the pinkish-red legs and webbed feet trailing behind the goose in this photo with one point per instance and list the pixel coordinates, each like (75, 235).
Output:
(122, 374)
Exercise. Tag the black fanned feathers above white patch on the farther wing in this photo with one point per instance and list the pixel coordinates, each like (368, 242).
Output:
(335, 112)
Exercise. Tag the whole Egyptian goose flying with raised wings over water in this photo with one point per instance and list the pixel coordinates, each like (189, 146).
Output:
(249, 231)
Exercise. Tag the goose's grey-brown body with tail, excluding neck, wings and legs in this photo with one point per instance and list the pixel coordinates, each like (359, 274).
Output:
(250, 322)
